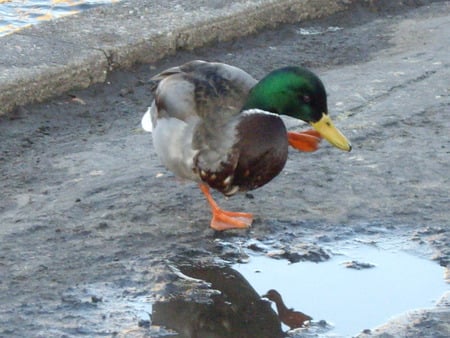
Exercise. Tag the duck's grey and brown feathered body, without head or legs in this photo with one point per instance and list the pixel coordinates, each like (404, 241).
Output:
(201, 133)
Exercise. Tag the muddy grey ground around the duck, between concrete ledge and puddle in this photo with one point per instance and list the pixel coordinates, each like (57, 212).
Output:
(87, 212)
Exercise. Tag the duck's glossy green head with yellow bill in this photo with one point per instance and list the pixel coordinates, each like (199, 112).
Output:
(299, 93)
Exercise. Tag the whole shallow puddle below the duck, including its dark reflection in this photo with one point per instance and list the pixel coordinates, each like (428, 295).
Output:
(356, 290)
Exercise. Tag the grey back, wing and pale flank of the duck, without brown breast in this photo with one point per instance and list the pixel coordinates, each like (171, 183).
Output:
(194, 114)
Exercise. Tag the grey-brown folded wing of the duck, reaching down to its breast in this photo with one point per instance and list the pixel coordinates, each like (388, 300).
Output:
(208, 96)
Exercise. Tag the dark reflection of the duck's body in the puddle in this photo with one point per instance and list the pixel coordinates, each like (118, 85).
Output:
(238, 311)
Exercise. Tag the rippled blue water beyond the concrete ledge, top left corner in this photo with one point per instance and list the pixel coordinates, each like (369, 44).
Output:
(18, 14)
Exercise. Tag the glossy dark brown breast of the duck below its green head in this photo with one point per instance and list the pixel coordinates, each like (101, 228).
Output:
(257, 154)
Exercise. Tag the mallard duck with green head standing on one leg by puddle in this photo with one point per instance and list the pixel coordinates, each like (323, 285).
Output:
(214, 124)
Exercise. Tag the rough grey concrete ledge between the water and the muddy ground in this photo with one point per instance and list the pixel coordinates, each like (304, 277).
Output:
(54, 57)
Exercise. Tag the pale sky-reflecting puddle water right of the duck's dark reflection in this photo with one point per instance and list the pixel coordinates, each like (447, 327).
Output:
(350, 299)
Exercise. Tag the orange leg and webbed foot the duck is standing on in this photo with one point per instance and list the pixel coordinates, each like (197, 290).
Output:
(222, 219)
